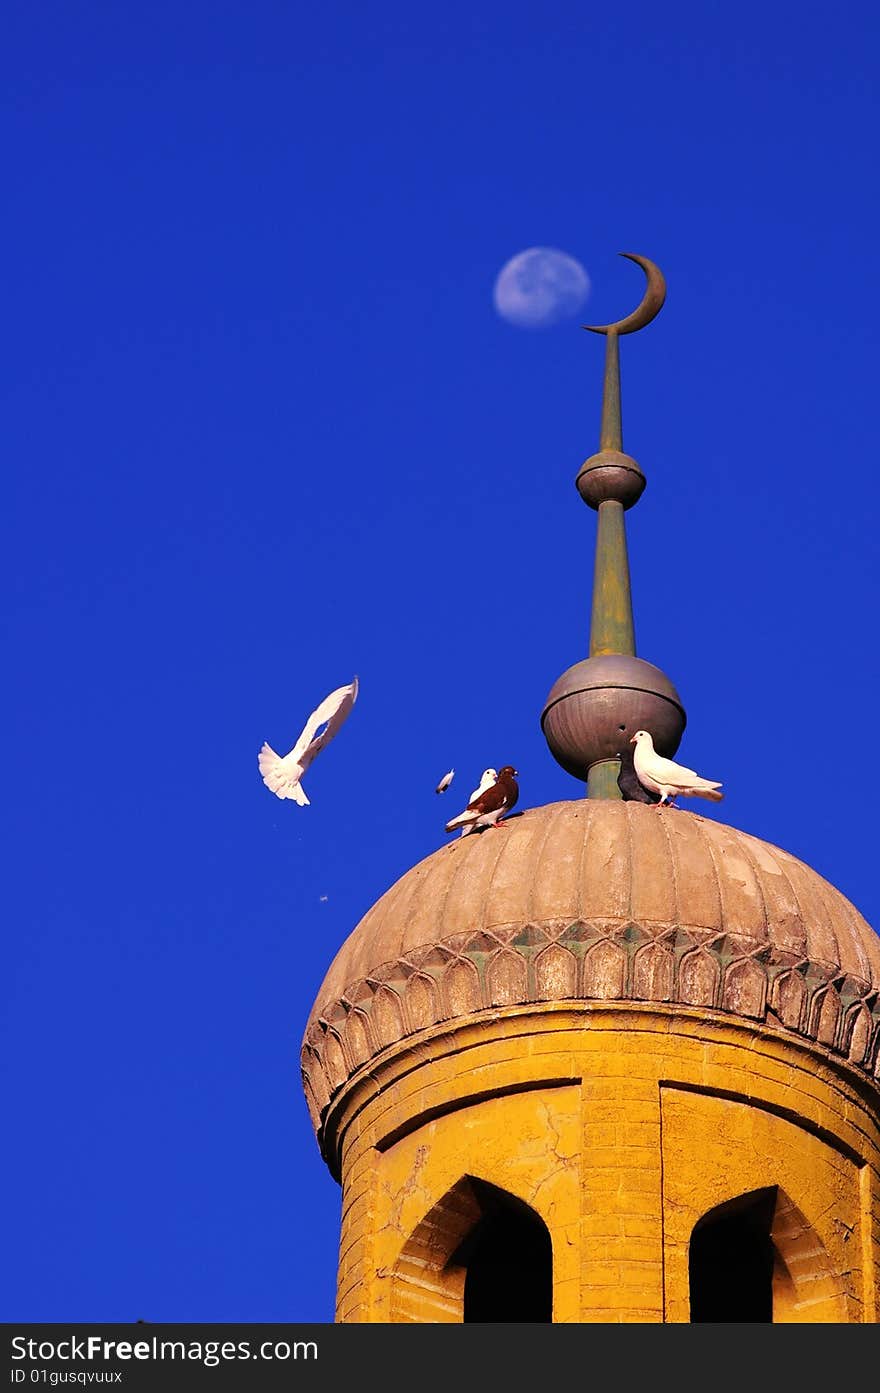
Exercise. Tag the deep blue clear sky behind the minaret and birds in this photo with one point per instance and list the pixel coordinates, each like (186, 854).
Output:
(265, 431)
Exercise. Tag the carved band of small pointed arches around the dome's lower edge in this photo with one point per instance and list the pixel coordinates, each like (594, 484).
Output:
(583, 962)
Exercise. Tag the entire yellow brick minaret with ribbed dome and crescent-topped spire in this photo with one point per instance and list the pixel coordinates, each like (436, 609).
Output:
(609, 1062)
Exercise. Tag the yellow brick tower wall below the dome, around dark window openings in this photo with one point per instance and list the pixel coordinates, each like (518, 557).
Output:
(620, 1126)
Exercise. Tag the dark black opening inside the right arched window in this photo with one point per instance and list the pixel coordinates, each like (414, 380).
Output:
(732, 1261)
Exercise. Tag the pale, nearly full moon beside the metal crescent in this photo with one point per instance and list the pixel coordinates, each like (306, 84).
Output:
(541, 288)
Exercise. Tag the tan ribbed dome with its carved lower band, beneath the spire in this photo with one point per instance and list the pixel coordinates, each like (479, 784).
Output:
(599, 901)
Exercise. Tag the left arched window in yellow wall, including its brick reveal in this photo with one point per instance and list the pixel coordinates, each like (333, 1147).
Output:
(480, 1254)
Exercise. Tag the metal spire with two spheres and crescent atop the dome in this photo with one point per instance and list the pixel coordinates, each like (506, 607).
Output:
(599, 703)
